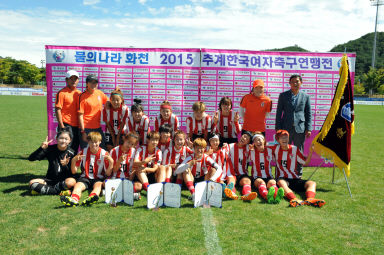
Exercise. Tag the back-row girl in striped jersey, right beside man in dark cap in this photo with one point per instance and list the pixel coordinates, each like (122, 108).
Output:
(113, 118)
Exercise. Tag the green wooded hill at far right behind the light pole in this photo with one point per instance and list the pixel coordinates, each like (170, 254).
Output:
(363, 48)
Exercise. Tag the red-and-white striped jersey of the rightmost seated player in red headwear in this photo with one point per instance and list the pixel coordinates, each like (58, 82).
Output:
(286, 161)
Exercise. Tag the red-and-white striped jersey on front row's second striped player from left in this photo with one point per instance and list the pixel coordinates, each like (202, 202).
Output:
(125, 168)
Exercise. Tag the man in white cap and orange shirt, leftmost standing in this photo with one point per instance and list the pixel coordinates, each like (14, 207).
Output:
(66, 105)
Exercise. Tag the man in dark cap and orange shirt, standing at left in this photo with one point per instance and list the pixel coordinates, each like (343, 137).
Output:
(91, 103)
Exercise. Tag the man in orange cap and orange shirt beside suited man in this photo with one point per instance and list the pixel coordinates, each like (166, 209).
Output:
(254, 107)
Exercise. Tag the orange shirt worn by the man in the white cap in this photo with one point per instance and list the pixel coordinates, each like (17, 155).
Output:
(67, 100)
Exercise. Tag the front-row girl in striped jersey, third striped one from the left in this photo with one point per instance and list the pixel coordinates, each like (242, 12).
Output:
(147, 161)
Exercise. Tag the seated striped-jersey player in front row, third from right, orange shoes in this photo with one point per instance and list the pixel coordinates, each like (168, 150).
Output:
(238, 169)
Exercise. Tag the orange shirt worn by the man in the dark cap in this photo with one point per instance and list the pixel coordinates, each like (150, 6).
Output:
(91, 106)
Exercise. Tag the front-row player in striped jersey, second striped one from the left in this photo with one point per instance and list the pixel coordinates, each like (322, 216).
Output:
(123, 156)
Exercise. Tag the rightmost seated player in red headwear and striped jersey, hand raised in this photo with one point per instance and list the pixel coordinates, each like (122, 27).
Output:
(288, 177)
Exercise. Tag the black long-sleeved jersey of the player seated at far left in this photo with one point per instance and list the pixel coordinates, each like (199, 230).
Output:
(56, 172)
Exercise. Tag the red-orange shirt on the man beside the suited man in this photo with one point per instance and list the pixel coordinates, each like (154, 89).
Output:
(255, 110)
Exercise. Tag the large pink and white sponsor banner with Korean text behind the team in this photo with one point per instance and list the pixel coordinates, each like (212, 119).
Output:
(184, 76)
